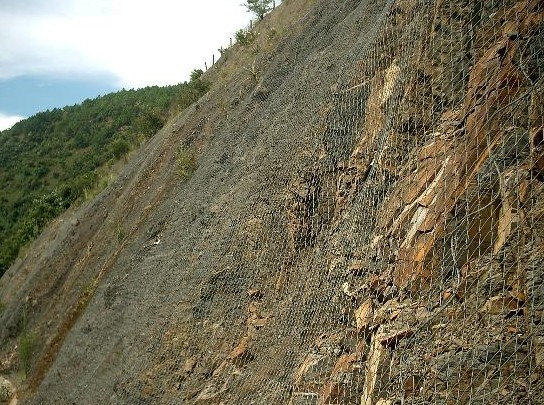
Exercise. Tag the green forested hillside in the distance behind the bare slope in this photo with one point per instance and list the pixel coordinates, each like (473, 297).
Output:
(55, 158)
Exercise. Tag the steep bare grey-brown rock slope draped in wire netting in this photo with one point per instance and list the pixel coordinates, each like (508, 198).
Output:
(365, 226)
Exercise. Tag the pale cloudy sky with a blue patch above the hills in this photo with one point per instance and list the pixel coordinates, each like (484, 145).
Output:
(55, 53)
